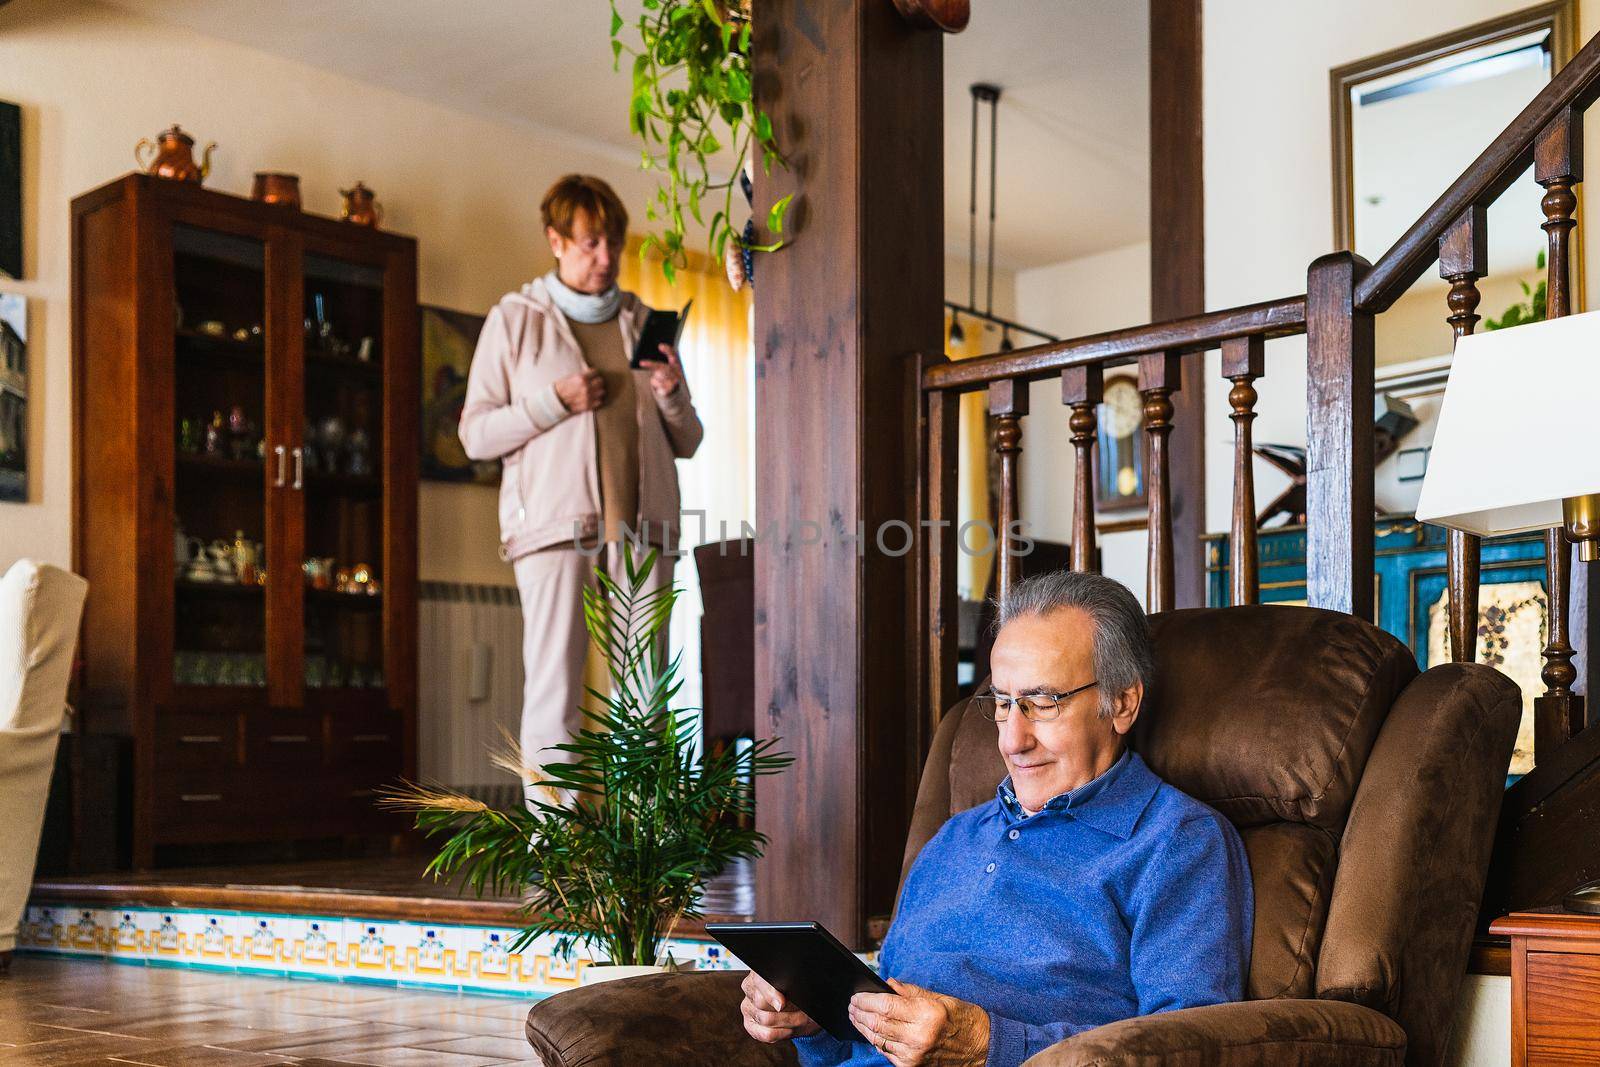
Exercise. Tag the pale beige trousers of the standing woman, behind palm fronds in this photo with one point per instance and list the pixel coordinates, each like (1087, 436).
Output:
(556, 644)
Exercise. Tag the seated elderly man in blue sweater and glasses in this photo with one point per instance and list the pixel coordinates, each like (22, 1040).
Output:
(1084, 893)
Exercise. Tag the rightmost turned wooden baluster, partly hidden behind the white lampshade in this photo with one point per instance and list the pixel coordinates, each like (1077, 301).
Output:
(1558, 166)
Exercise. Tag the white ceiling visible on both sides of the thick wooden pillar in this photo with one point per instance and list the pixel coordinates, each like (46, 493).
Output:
(1074, 122)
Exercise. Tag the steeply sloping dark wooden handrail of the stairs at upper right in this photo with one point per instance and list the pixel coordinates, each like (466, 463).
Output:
(1575, 87)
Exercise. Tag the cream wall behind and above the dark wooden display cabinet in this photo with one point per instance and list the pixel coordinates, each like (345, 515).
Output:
(94, 81)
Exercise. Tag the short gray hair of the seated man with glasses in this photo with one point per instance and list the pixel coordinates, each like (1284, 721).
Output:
(1124, 652)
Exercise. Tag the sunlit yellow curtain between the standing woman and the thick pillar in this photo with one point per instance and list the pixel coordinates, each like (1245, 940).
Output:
(719, 481)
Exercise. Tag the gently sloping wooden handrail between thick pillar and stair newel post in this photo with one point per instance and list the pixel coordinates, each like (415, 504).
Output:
(1196, 334)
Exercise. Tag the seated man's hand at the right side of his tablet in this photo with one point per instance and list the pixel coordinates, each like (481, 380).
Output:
(919, 1028)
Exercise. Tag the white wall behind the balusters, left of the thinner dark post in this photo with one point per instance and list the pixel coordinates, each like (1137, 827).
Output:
(1079, 297)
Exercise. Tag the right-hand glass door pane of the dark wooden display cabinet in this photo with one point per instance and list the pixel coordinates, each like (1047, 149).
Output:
(343, 481)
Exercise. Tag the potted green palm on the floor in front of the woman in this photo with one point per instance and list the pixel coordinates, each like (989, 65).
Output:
(633, 826)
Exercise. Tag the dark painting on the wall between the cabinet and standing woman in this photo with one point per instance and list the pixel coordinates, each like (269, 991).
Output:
(449, 340)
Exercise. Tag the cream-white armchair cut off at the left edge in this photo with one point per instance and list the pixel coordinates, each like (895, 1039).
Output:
(41, 607)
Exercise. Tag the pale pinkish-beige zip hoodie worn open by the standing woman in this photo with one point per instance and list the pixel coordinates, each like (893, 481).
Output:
(551, 484)
